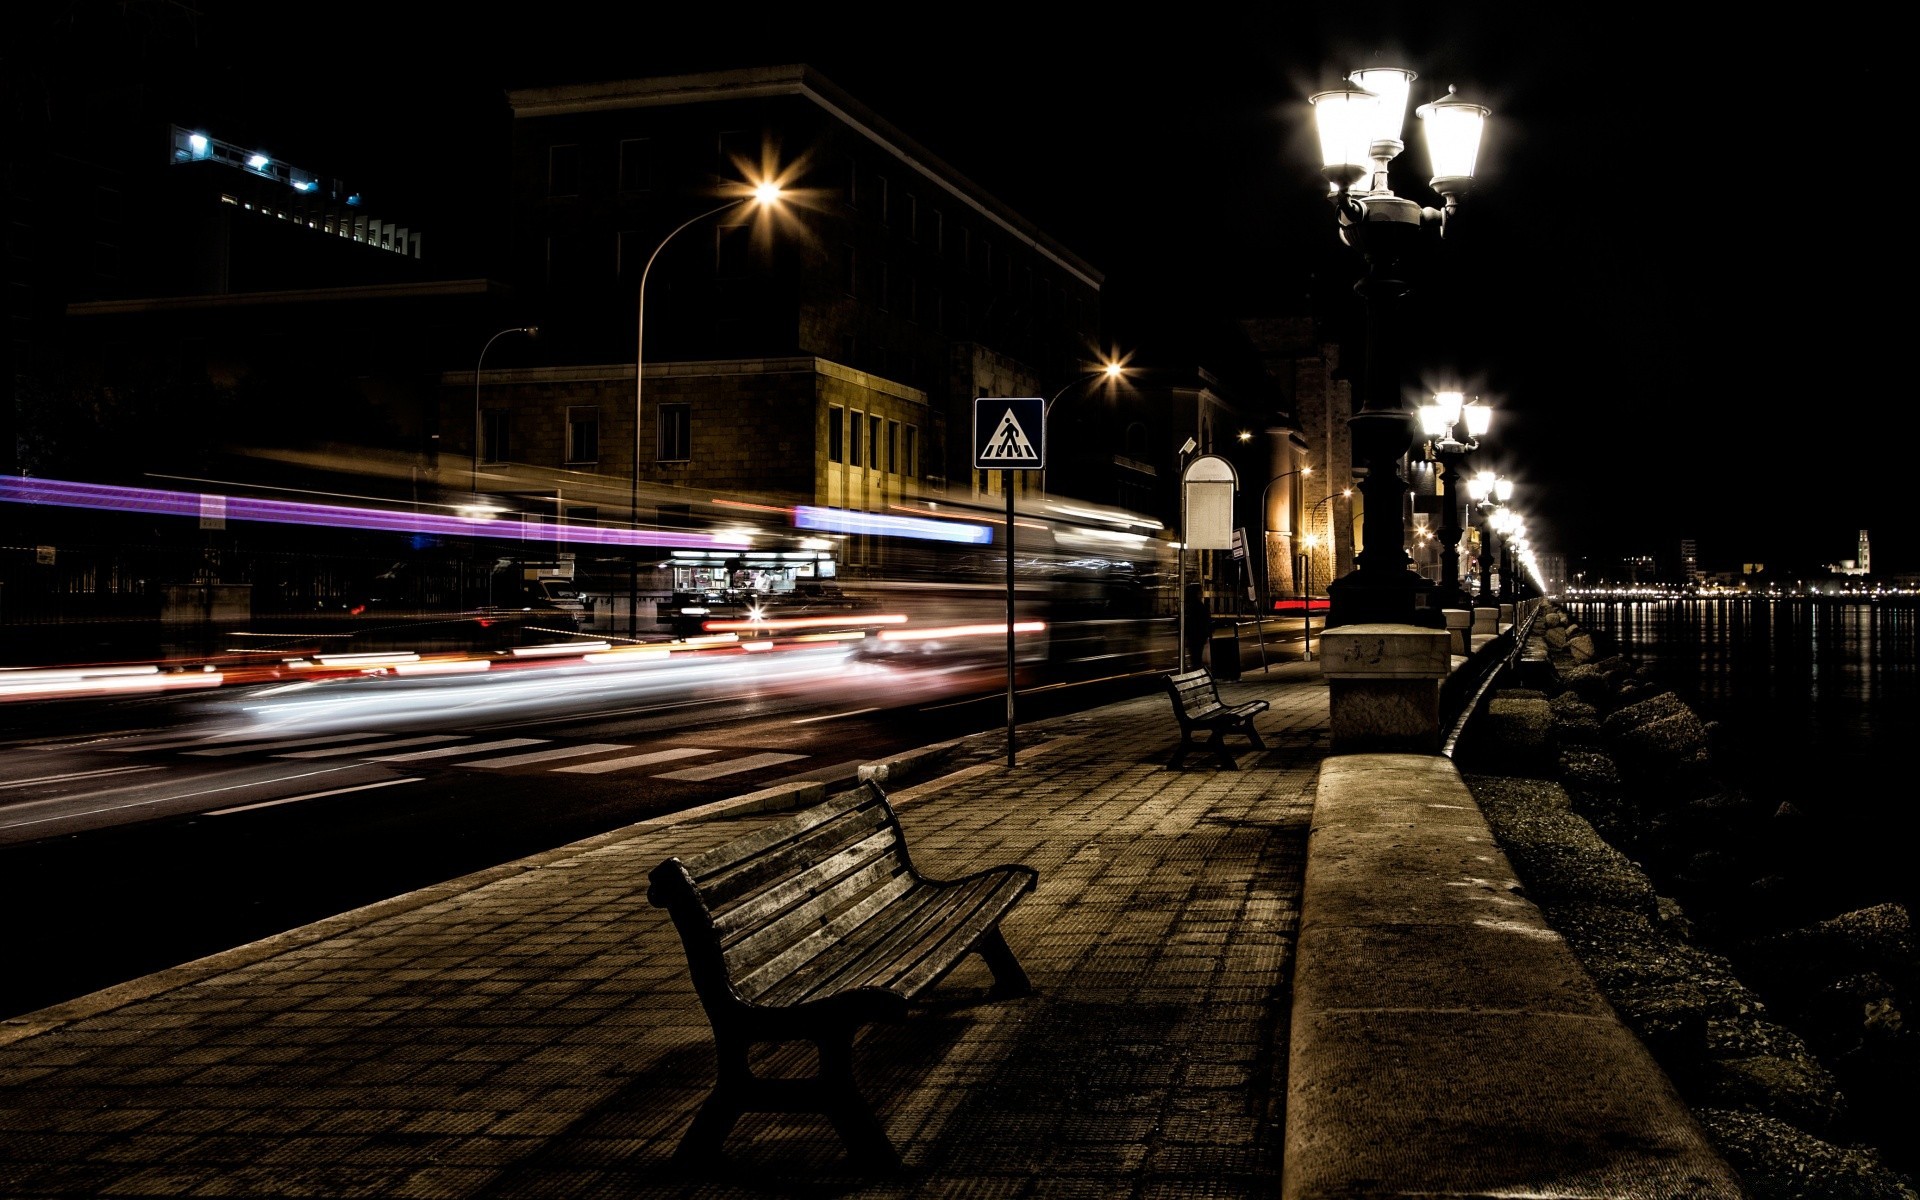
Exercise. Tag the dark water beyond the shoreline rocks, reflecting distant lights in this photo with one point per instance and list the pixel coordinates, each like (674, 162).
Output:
(1819, 706)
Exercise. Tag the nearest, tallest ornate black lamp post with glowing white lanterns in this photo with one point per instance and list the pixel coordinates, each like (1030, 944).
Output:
(1360, 128)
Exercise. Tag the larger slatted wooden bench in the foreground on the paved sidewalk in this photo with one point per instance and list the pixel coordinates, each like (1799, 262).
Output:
(811, 928)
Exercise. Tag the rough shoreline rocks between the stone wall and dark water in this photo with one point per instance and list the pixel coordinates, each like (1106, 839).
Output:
(1792, 1040)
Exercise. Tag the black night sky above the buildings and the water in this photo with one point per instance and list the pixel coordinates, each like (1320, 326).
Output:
(1683, 327)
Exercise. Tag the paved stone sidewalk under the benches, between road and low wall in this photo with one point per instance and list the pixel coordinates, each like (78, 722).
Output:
(531, 1030)
